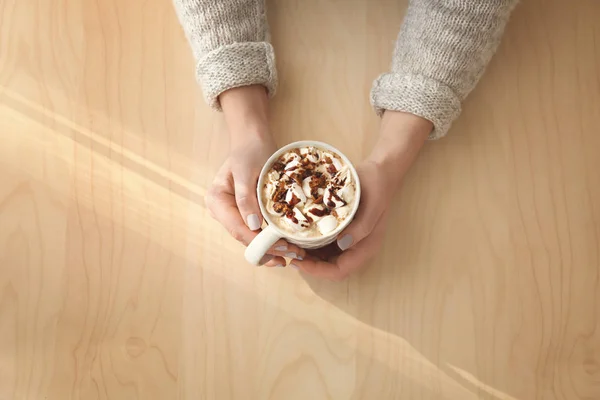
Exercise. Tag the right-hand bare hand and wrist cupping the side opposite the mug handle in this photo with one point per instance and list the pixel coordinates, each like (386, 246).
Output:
(402, 136)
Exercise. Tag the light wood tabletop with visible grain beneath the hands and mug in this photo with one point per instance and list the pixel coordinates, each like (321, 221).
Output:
(116, 284)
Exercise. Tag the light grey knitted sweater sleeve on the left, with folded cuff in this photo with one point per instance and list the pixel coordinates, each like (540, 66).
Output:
(230, 42)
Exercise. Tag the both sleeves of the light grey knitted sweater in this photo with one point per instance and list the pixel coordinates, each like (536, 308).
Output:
(441, 52)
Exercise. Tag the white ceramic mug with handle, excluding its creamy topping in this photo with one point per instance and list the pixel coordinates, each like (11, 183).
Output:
(272, 233)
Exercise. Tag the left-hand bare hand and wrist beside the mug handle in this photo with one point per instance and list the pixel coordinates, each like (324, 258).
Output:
(231, 198)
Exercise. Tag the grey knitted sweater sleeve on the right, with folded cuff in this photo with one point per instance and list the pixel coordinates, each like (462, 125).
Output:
(441, 52)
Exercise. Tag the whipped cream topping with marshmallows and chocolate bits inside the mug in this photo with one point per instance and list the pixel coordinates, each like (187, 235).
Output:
(309, 191)
